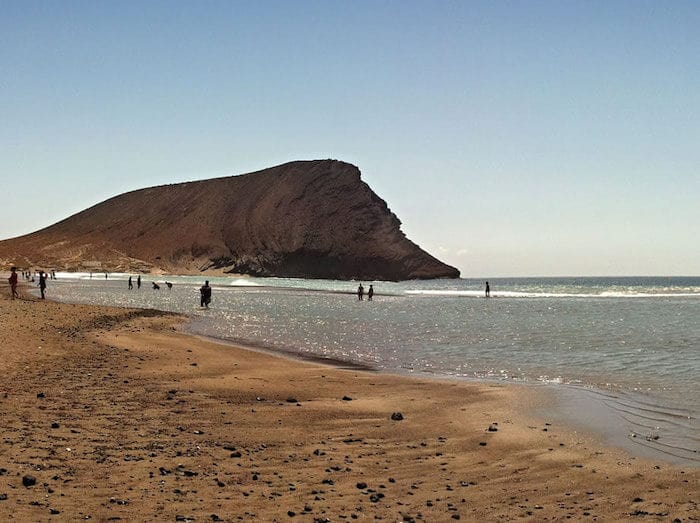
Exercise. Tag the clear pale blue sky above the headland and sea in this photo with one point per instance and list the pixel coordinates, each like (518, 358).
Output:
(511, 138)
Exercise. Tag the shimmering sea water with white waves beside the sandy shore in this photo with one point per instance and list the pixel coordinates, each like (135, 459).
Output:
(623, 352)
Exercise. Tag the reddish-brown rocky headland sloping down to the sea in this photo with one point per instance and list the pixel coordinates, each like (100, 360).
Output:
(311, 219)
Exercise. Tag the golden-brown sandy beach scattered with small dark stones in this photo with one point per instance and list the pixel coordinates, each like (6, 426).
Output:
(115, 414)
